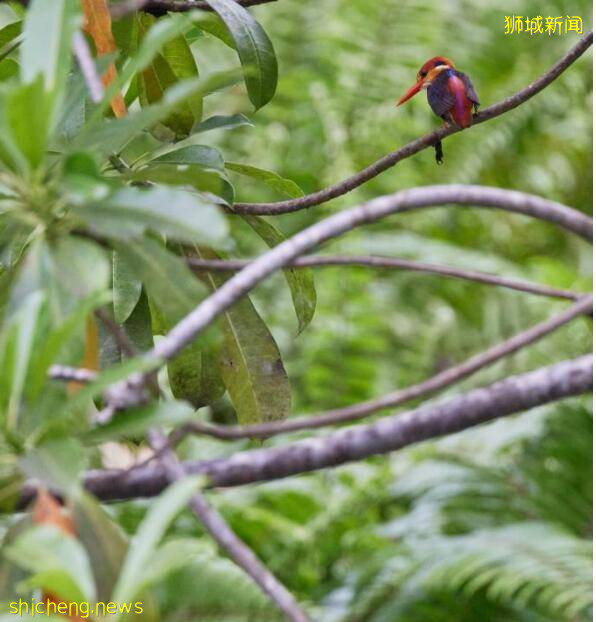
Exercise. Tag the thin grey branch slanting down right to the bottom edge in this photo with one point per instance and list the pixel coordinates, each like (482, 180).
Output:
(221, 532)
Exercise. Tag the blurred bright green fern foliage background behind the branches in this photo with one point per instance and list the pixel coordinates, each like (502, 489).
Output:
(493, 524)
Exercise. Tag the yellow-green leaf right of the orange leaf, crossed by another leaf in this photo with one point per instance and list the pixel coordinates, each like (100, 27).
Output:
(174, 63)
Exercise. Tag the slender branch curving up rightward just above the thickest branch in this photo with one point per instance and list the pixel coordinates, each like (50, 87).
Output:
(436, 383)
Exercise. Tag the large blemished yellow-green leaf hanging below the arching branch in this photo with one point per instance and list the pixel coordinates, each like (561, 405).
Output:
(250, 362)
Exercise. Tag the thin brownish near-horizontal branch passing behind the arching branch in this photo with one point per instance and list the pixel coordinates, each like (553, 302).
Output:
(376, 261)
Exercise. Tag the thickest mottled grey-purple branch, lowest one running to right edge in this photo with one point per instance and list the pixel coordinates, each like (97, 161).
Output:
(512, 395)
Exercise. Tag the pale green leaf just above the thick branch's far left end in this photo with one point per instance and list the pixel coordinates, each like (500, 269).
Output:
(58, 463)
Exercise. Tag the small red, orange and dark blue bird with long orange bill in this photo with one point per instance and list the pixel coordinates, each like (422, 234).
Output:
(450, 94)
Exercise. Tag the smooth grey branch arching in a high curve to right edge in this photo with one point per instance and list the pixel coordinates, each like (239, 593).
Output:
(241, 283)
